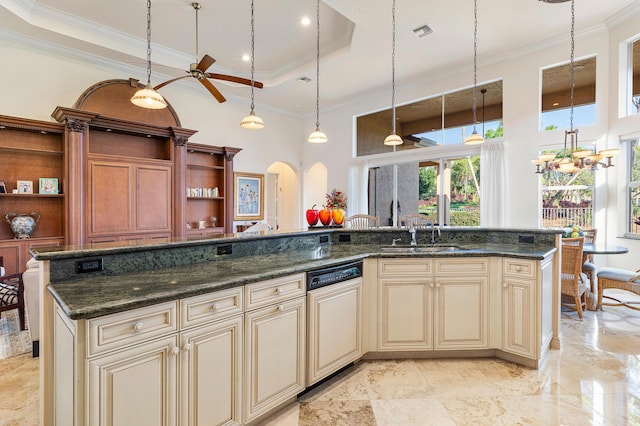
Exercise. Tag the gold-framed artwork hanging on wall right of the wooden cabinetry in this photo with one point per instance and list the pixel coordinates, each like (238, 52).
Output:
(248, 196)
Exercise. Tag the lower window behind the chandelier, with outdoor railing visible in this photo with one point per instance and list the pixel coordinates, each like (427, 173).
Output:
(567, 200)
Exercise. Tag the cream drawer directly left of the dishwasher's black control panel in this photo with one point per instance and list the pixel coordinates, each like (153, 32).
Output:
(272, 291)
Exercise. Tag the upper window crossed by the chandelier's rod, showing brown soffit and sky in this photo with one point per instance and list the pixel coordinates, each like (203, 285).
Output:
(556, 95)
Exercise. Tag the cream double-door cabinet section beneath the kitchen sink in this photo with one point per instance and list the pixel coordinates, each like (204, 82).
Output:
(427, 304)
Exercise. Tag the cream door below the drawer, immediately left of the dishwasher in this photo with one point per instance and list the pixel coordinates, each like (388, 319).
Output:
(275, 355)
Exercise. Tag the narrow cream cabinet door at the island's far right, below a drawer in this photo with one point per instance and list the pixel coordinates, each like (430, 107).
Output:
(518, 316)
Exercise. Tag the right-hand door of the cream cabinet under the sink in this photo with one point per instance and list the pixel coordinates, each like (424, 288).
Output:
(461, 316)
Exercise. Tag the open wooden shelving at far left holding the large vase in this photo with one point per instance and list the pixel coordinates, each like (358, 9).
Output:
(31, 150)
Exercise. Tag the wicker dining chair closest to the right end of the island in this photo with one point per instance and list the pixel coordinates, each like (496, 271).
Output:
(572, 286)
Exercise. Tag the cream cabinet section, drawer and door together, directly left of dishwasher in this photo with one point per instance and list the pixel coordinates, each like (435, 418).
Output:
(274, 344)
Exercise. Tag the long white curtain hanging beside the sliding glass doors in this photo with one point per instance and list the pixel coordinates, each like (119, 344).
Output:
(493, 185)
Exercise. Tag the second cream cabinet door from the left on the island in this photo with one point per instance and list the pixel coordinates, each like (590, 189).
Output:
(211, 379)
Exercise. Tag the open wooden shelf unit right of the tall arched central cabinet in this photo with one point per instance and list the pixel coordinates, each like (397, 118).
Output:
(209, 181)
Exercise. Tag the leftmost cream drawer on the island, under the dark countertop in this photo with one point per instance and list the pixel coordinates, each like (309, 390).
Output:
(118, 330)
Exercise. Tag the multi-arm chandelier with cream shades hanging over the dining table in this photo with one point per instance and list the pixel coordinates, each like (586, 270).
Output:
(577, 158)
